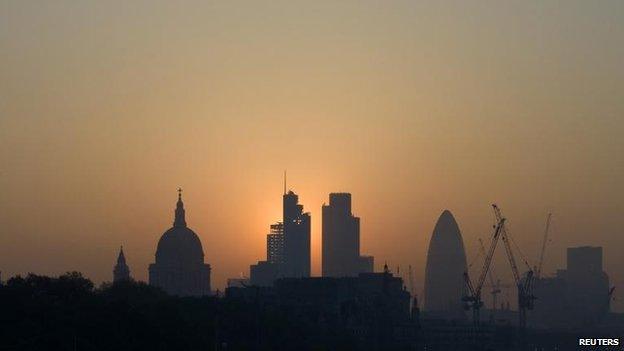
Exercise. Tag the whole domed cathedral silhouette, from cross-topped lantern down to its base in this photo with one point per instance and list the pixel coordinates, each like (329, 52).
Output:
(179, 268)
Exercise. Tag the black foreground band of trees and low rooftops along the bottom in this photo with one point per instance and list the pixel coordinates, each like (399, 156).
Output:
(69, 313)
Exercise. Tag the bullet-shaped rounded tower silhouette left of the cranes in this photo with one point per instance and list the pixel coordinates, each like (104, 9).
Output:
(444, 273)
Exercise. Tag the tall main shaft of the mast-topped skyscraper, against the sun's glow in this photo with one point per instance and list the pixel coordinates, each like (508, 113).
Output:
(296, 238)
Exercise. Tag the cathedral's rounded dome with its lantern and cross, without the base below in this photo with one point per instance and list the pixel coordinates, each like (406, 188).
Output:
(179, 245)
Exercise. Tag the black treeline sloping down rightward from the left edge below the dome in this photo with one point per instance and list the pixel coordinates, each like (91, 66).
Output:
(69, 313)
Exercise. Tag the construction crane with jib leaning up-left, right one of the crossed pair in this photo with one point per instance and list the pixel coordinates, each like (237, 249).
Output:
(525, 294)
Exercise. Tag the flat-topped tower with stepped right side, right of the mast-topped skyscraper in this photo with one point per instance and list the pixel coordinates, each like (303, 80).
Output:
(341, 239)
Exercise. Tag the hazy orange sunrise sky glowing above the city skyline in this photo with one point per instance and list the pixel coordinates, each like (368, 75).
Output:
(106, 108)
